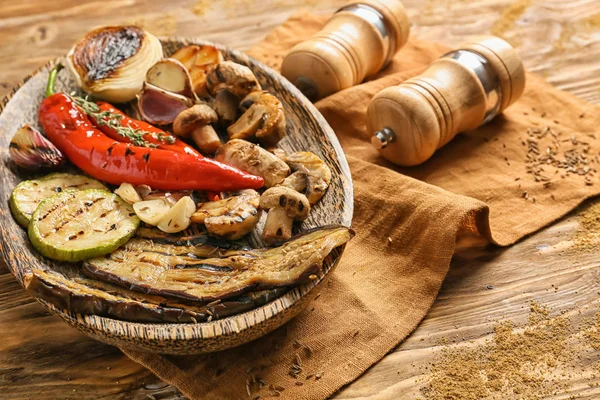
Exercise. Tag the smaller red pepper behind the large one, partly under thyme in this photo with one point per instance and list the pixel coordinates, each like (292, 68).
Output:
(155, 136)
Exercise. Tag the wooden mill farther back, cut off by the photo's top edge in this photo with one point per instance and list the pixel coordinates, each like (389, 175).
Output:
(358, 40)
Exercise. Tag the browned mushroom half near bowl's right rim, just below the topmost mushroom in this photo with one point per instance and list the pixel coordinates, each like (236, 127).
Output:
(263, 116)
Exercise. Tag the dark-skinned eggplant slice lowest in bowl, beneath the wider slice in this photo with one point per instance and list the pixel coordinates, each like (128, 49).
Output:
(87, 296)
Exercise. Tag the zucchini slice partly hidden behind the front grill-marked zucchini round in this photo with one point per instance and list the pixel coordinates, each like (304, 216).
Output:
(27, 195)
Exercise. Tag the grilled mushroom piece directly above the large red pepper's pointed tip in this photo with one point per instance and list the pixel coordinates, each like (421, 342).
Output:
(254, 159)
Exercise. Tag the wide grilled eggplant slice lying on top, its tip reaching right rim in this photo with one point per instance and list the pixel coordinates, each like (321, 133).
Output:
(177, 274)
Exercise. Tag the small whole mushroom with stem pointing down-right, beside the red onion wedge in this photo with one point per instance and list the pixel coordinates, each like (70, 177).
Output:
(195, 122)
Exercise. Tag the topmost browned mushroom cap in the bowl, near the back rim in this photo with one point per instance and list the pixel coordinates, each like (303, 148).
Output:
(235, 78)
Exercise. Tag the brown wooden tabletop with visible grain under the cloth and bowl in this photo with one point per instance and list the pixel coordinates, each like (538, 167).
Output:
(43, 358)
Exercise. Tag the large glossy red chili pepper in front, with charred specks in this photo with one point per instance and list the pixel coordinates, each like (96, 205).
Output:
(116, 162)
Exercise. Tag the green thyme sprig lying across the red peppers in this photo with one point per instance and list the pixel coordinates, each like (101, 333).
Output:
(113, 121)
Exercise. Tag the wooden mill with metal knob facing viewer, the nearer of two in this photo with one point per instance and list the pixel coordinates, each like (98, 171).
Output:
(458, 92)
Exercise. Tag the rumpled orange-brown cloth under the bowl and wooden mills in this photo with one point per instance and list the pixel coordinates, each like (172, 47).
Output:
(382, 289)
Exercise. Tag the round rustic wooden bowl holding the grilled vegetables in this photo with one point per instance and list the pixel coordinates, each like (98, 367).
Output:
(307, 130)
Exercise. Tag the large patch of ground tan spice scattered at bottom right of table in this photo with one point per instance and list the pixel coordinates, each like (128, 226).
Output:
(514, 362)
